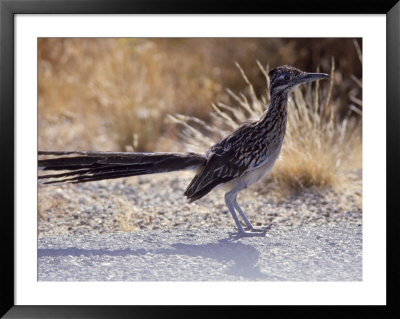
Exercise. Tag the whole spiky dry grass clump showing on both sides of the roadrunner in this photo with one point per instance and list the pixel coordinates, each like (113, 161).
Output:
(321, 149)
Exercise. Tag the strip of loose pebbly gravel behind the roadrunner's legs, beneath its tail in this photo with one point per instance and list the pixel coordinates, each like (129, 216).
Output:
(156, 202)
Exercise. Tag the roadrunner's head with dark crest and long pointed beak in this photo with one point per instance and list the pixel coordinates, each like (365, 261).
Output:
(285, 78)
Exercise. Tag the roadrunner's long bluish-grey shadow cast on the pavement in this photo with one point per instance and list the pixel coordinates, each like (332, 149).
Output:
(239, 259)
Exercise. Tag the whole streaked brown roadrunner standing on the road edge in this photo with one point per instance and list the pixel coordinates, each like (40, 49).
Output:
(237, 161)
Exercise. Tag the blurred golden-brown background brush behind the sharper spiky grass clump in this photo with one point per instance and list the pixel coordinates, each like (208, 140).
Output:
(114, 94)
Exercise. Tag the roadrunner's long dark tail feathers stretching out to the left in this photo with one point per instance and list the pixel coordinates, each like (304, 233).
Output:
(78, 167)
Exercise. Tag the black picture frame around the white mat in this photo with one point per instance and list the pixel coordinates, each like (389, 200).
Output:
(8, 10)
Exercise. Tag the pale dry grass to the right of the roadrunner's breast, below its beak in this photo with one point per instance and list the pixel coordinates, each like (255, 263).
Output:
(321, 148)
